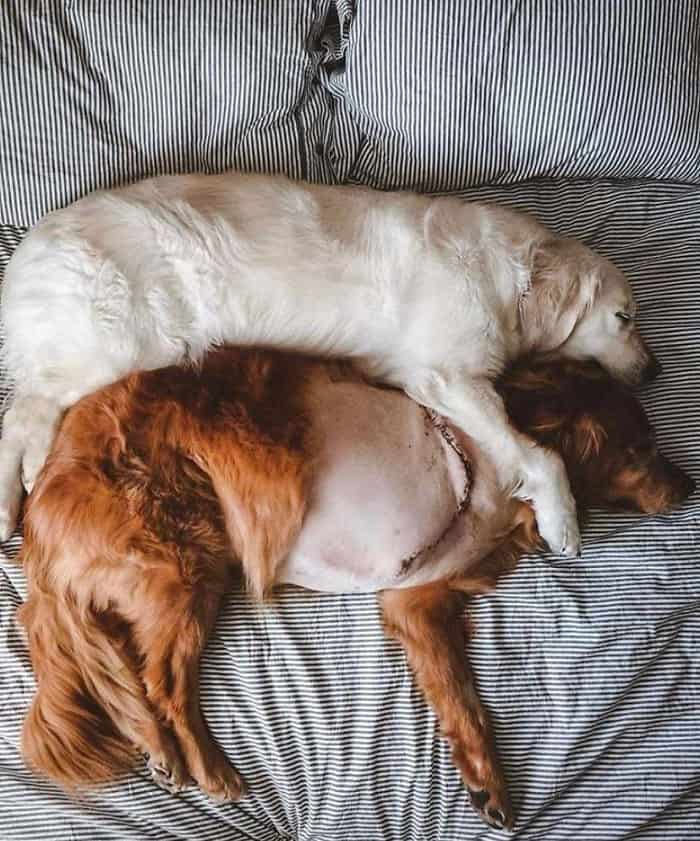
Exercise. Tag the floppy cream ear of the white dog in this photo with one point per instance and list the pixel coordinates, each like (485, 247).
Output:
(564, 288)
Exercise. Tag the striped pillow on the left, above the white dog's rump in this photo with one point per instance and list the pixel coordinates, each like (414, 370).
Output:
(94, 93)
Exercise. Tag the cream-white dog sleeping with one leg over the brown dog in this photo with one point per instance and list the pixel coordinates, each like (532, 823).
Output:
(433, 295)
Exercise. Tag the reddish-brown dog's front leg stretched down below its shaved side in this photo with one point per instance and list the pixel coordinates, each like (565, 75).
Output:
(428, 623)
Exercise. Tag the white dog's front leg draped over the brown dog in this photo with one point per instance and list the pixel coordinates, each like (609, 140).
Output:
(524, 469)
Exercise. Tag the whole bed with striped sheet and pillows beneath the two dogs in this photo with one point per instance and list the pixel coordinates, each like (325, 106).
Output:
(589, 667)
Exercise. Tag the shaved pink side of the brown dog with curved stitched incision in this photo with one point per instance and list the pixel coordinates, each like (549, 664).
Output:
(390, 504)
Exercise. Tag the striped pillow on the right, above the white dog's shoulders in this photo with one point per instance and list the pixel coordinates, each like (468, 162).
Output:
(444, 95)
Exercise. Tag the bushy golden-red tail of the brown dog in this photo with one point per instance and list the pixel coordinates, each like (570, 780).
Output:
(76, 731)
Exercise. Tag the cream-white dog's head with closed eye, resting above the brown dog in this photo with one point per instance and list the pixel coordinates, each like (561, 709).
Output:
(587, 309)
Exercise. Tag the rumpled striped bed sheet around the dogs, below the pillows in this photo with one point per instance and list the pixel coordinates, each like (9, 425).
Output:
(589, 667)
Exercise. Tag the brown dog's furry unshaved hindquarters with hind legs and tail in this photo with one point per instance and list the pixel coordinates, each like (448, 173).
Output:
(151, 491)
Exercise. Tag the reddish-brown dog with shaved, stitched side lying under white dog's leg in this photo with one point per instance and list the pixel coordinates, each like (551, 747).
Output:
(162, 487)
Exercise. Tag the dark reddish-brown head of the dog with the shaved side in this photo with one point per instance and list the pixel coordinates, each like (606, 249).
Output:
(601, 431)
